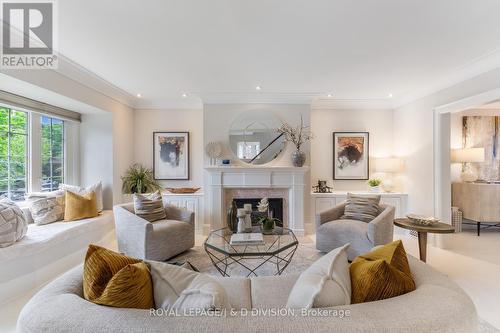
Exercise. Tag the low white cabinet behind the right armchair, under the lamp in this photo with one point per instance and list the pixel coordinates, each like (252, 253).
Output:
(323, 201)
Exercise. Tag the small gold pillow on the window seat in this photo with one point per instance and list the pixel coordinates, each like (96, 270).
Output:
(79, 207)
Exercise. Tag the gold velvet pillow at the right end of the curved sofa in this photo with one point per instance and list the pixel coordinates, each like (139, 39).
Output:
(380, 274)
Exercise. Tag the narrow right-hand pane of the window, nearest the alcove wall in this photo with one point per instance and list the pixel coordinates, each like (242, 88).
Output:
(52, 153)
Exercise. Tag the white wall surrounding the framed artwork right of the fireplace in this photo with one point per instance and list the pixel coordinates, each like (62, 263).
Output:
(379, 123)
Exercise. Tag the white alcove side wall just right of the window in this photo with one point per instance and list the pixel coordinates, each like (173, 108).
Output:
(96, 143)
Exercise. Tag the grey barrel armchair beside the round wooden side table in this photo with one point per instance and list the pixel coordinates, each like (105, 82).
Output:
(332, 231)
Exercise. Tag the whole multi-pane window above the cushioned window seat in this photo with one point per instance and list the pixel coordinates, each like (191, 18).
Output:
(32, 149)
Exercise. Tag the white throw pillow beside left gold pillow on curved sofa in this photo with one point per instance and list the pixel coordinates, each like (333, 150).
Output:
(179, 288)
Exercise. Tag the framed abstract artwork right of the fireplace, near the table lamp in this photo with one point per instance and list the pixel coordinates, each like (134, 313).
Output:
(350, 155)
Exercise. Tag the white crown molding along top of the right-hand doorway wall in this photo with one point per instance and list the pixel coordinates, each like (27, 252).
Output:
(476, 67)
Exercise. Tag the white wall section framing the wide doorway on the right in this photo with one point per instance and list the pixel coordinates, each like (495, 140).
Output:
(413, 137)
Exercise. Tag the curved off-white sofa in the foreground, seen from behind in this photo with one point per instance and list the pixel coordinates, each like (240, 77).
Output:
(437, 305)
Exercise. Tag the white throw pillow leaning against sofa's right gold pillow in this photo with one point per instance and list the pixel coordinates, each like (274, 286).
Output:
(325, 283)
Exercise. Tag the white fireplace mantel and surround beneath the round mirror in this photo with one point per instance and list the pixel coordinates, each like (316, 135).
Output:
(221, 177)
